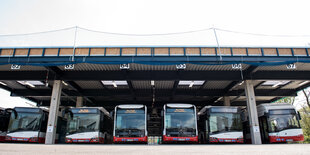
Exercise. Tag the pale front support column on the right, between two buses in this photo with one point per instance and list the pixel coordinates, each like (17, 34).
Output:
(252, 112)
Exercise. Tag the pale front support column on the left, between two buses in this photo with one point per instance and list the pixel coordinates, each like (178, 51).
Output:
(53, 113)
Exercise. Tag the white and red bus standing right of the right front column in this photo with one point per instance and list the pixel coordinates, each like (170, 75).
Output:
(279, 122)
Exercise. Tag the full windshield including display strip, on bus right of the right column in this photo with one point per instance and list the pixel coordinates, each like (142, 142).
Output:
(281, 120)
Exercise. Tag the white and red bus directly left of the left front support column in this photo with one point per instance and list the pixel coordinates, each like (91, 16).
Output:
(27, 125)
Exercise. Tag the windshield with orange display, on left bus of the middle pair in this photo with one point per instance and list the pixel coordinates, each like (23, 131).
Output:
(130, 123)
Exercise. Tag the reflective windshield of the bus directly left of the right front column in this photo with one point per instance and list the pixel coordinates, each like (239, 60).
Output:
(224, 122)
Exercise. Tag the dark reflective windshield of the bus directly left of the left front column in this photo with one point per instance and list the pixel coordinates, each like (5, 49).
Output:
(24, 122)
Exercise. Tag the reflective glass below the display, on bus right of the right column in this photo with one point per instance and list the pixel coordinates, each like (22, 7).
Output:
(280, 122)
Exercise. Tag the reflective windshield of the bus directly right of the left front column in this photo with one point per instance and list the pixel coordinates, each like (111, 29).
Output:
(83, 123)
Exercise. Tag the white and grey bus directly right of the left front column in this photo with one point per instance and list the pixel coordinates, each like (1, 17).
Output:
(89, 125)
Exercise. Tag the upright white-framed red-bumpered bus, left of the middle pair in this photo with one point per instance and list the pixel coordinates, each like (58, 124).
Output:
(130, 124)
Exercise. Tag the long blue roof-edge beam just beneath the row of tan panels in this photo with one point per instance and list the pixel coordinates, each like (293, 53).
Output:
(55, 60)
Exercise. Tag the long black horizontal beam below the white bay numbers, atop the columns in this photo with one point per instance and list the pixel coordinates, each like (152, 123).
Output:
(157, 75)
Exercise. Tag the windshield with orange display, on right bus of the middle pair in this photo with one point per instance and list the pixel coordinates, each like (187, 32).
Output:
(180, 122)
